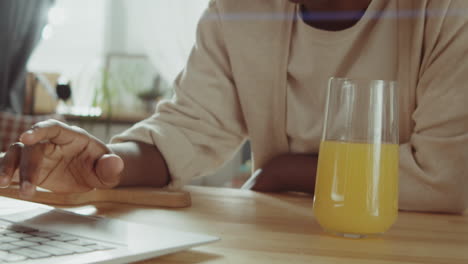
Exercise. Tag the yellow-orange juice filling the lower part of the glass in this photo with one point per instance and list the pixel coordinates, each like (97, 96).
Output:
(356, 191)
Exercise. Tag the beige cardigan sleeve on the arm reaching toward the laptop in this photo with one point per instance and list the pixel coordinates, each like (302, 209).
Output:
(202, 126)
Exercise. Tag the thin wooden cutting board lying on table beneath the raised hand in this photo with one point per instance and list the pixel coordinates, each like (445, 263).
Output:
(133, 195)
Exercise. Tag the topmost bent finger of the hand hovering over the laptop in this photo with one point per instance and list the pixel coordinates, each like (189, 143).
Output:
(51, 130)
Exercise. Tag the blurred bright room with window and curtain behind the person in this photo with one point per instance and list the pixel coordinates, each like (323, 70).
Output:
(99, 64)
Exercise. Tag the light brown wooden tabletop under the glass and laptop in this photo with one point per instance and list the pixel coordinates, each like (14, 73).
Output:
(280, 228)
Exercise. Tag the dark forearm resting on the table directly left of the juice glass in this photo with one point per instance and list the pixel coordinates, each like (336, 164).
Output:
(287, 172)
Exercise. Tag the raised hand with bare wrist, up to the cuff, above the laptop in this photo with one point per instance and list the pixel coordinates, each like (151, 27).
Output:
(66, 159)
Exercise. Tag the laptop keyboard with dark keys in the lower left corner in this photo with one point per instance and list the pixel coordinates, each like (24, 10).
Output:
(20, 243)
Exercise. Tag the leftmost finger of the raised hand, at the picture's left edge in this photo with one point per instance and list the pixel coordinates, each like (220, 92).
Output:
(9, 163)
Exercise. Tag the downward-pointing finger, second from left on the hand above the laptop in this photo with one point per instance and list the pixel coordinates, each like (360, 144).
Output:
(29, 169)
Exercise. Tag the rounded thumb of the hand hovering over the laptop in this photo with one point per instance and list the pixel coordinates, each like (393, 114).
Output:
(108, 170)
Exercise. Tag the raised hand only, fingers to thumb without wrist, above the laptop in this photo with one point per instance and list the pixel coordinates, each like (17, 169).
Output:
(60, 158)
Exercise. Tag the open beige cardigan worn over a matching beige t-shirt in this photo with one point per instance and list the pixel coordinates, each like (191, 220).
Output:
(234, 88)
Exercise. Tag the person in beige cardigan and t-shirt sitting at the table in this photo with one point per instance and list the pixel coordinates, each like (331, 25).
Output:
(259, 71)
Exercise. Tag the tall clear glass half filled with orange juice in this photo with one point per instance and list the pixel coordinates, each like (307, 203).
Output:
(356, 191)
